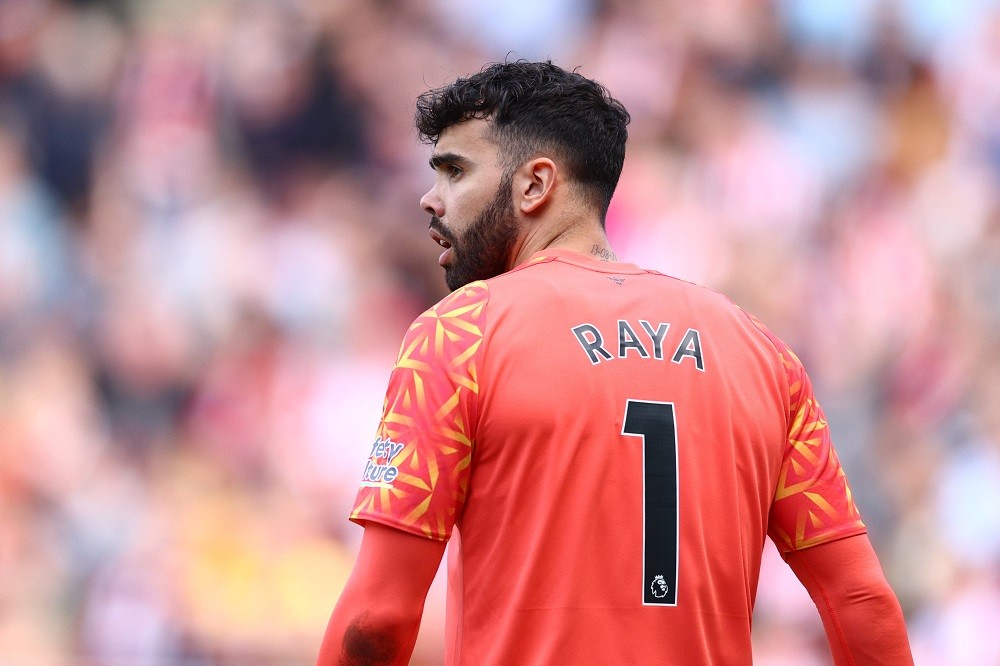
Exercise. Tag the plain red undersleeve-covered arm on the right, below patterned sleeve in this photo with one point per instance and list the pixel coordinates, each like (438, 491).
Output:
(862, 618)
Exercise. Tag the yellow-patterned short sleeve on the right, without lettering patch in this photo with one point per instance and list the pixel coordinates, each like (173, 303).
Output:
(813, 502)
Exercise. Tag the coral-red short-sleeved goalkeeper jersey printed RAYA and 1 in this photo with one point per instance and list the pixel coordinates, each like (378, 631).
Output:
(609, 447)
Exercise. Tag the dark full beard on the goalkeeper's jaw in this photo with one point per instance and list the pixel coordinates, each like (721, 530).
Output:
(484, 249)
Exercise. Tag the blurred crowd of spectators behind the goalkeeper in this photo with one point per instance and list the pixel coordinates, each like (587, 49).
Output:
(210, 247)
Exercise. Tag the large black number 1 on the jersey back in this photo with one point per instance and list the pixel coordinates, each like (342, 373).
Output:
(654, 422)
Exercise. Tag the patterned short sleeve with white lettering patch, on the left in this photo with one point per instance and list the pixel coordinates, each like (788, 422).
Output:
(417, 473)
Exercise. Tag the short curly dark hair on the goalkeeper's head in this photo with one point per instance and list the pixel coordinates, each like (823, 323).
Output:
(538, 106)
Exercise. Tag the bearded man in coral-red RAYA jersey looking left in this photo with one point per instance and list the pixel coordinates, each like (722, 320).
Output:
(605, 446)
